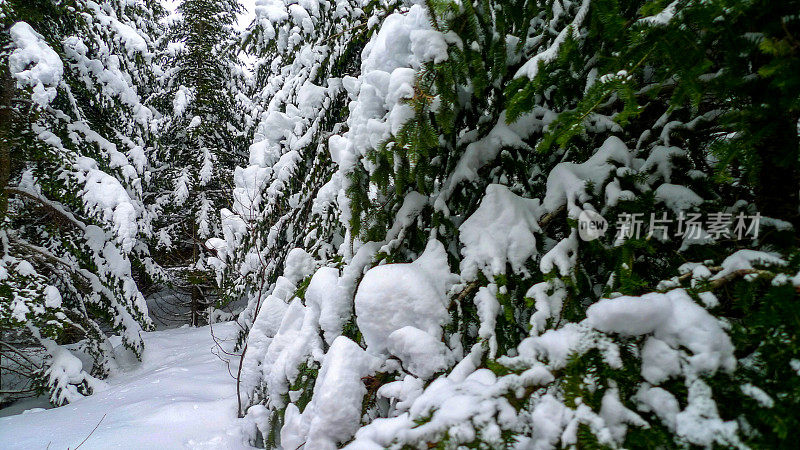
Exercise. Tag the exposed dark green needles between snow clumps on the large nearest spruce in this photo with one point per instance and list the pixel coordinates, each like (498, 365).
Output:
(718, 80)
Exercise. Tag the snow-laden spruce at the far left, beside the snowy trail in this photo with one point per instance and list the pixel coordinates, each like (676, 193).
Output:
(73, 138)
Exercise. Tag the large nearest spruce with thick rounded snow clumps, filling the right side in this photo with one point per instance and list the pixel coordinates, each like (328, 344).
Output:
(463, 308)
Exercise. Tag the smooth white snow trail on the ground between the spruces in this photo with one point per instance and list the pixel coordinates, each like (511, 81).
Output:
(179, 396)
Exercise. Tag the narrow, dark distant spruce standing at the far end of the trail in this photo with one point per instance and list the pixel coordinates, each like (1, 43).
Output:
(201, 142)
